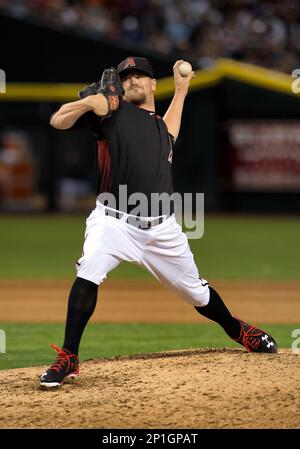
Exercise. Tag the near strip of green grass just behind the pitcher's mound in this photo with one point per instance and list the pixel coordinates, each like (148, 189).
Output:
(28, 344)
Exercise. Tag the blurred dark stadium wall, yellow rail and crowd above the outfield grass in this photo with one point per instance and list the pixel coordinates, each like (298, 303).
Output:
(239, 142)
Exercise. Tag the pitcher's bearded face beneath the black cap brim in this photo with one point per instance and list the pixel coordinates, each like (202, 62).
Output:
(138, 88)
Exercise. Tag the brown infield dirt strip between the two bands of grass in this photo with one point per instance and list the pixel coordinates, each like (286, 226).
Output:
(148, 301)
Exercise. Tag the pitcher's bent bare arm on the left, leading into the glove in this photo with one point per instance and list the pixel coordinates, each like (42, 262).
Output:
(69, 113)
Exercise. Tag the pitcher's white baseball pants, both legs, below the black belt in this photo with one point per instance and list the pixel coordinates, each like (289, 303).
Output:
(163, 250)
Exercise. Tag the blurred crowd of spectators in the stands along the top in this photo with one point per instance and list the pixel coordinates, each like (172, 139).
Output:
(263, 32)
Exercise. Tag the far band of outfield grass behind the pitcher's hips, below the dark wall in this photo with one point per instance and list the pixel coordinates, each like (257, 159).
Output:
(232, 248)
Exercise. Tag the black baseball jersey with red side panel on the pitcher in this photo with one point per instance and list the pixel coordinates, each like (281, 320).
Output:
(134, 148)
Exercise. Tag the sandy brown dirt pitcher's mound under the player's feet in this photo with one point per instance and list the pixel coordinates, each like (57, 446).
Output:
(201, 388)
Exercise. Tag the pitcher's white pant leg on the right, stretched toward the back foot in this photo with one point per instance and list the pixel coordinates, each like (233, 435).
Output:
(169, 258)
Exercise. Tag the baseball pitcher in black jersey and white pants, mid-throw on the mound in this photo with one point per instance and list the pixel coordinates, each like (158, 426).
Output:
(134, 157)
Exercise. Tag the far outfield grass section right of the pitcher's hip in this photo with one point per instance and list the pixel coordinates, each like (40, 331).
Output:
(249, 248)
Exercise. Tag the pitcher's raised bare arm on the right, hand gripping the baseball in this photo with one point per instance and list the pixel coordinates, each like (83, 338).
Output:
(172, 117)
